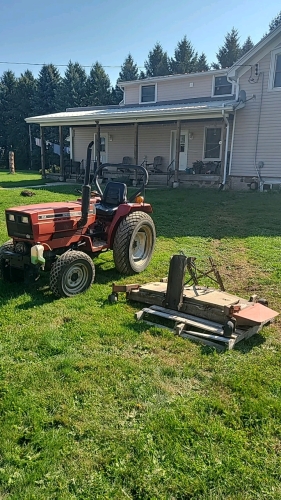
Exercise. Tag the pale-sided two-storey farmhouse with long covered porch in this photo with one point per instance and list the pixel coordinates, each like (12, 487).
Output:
(208, 128)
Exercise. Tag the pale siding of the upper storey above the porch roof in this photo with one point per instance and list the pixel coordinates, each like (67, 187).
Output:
(174, 88)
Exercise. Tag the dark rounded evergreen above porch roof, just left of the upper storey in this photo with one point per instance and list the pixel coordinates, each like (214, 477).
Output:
(98, 87)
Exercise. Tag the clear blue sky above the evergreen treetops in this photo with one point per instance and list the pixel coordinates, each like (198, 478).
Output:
(87, 31)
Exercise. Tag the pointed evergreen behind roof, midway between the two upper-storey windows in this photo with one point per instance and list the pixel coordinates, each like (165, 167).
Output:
(185, 58)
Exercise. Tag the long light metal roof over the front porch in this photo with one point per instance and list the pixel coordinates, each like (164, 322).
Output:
(139, 114)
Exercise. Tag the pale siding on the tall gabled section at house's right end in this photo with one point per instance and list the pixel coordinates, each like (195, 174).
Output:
(249, 132)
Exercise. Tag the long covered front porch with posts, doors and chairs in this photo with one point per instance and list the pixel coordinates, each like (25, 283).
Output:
(193, 141)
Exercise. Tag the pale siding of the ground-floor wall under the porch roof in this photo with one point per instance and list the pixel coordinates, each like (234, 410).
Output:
(154, 140)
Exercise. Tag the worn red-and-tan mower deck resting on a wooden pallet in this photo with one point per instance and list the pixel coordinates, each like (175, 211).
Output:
(203, 314)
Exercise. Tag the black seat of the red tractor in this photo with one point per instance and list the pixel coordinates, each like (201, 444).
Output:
(114, 194)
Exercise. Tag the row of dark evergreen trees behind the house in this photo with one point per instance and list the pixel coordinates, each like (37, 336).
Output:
(50, 92)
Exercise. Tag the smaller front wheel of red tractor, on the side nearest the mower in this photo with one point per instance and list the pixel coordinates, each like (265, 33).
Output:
(72, 273)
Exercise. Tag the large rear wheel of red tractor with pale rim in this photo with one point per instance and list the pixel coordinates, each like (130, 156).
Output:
(134, 243)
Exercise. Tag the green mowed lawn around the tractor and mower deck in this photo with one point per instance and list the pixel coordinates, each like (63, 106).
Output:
(95, 405)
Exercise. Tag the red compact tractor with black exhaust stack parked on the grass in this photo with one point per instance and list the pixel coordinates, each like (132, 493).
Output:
(61, 237)
